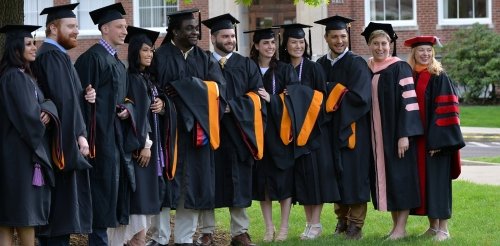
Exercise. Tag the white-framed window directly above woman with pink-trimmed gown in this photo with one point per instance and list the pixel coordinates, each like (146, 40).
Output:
(396, 12)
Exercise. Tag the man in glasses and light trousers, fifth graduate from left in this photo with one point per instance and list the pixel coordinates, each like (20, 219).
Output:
(194, 83)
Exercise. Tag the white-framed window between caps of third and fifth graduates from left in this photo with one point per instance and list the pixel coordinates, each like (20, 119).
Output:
(152, 14)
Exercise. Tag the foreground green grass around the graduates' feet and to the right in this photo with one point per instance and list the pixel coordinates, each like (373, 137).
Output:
(475, 220)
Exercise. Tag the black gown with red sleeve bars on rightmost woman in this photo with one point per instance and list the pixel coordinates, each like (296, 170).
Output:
(438, 103)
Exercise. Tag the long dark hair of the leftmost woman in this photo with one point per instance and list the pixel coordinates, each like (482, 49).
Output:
(13, 56)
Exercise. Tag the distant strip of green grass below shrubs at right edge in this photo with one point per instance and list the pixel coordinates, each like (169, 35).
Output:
(480, 116)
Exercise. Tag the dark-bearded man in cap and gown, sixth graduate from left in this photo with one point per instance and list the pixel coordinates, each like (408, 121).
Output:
(233, 160)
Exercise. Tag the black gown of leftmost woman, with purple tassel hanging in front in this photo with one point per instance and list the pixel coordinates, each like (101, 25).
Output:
(24, 141)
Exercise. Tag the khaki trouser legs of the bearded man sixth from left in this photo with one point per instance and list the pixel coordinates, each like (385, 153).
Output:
(239, 221)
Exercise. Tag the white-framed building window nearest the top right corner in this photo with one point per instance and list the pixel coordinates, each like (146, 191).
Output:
(464, 12)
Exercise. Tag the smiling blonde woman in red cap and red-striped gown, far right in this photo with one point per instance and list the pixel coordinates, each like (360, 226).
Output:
(438, 149)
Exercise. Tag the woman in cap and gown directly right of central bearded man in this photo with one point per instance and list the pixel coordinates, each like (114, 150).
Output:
(273, 175)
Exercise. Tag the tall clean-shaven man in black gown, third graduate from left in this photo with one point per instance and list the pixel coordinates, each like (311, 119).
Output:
(107, 121)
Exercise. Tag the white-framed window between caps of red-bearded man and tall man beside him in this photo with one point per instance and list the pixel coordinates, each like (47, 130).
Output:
(85, 23)
